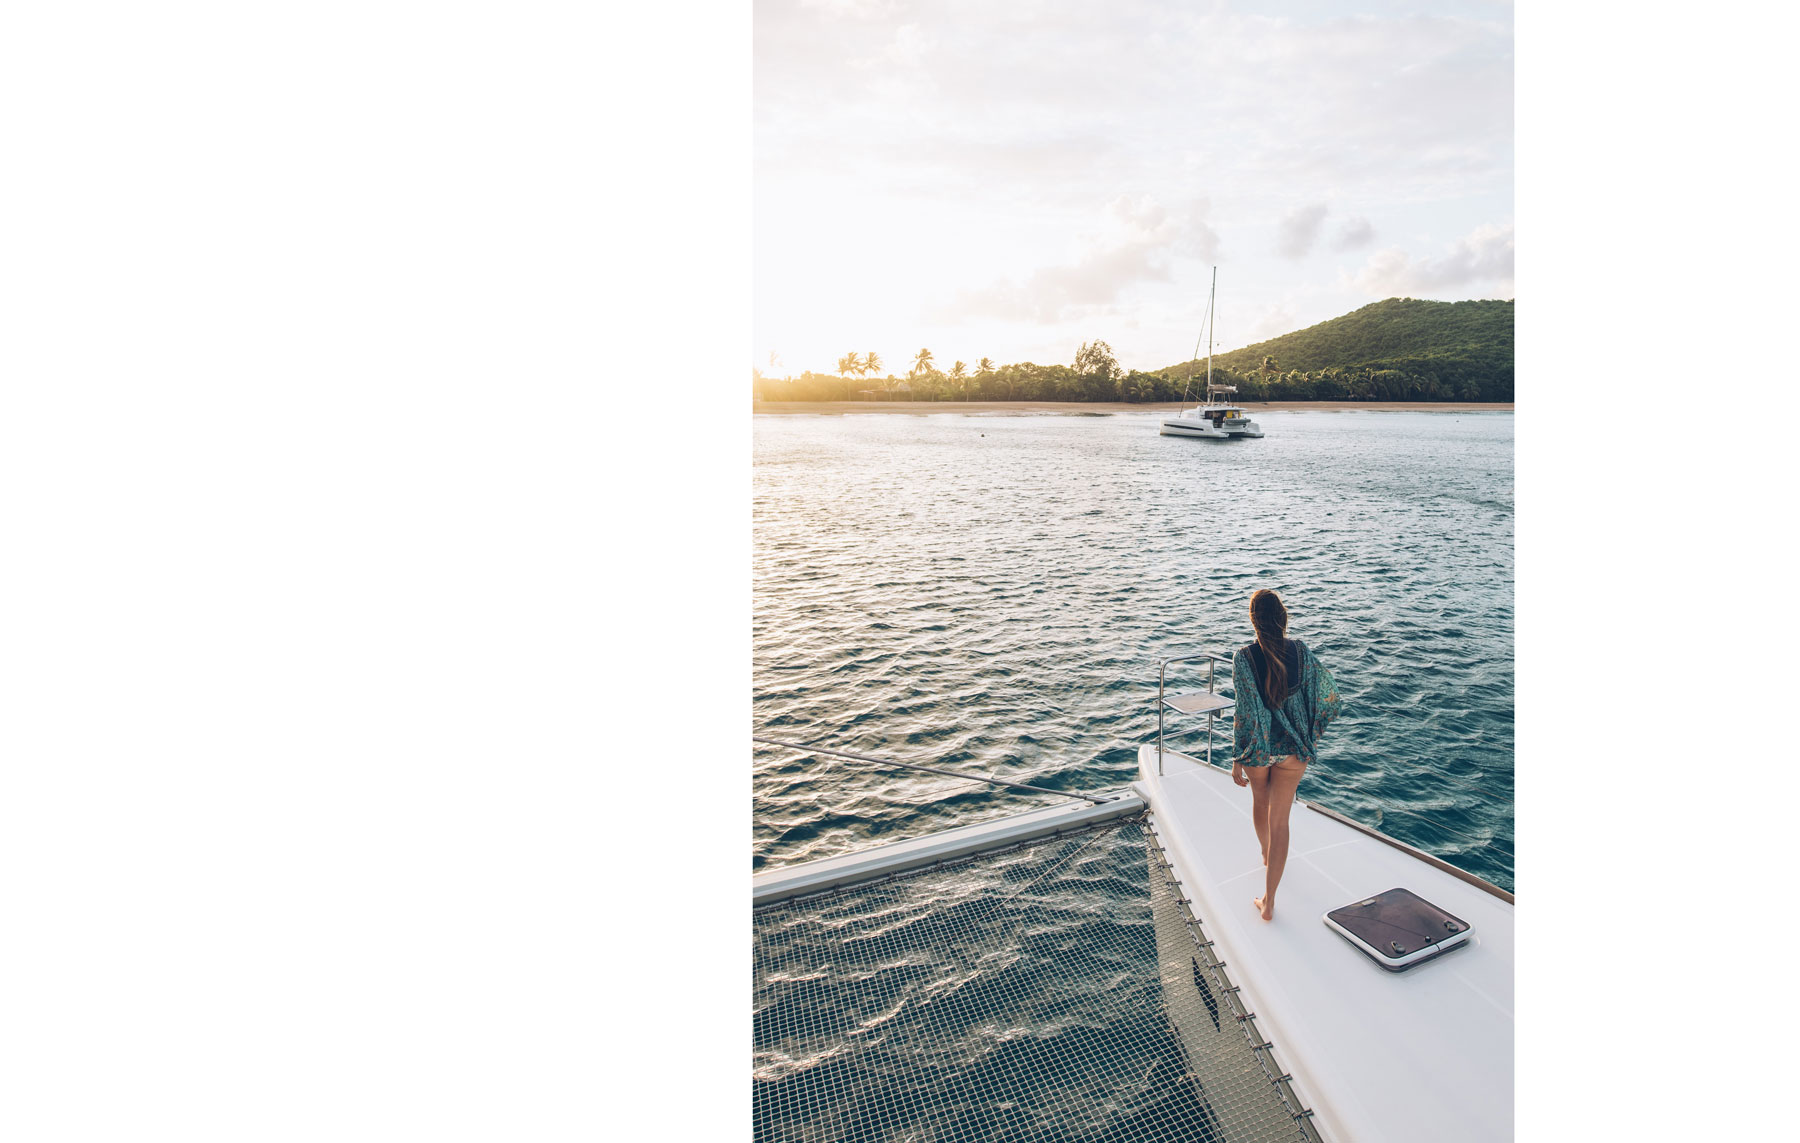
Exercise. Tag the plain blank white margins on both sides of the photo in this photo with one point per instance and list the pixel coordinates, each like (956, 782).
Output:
(375, 480)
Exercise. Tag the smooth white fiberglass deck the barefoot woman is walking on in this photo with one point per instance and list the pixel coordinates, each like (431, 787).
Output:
(1380, 1057)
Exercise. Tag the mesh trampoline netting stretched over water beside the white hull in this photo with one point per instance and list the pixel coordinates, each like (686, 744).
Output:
(1059, 991)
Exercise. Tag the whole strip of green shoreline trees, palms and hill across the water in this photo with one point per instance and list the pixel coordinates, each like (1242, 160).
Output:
(1399, 350)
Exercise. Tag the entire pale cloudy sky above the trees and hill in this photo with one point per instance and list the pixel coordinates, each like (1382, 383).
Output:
(1016, 177)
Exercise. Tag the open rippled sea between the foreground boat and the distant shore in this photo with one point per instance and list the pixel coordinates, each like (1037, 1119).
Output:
(993, 595)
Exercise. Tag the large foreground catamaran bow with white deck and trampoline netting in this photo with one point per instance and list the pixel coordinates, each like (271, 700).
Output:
(903, 991)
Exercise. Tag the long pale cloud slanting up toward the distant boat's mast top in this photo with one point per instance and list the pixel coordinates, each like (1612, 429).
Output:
(1135, 244)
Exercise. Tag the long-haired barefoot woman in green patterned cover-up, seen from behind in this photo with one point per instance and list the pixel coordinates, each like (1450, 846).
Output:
(1284, 703)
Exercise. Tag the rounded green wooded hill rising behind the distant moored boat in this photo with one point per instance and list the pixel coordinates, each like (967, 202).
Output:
(1396, 350)
